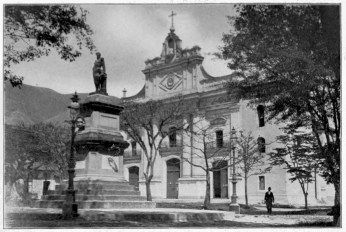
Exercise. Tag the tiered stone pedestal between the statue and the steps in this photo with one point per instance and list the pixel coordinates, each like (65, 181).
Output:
(100, 145)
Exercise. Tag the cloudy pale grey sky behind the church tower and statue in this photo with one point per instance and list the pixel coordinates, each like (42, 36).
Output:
(127, 35)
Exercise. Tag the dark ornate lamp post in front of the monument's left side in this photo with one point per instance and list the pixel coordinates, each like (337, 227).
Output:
(70, 208)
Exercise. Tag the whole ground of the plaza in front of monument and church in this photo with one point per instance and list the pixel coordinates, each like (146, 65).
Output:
(255, 216)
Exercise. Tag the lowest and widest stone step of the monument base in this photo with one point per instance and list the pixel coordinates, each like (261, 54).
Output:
(95, 204)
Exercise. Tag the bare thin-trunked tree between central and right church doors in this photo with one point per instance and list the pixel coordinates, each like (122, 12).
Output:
(209, 152)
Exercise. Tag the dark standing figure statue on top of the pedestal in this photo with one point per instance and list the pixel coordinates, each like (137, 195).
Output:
(99, 73)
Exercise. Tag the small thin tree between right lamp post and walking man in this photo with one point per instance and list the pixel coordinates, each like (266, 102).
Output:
(250, 160)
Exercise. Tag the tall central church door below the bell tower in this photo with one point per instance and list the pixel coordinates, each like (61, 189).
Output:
(173, 174)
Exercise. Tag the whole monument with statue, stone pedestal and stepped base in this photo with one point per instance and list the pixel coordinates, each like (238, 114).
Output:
(99, 179)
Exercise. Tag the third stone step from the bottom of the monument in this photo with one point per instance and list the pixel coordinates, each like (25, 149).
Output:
(96, 192)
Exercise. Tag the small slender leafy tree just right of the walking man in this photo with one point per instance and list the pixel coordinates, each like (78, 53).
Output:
(300, 155)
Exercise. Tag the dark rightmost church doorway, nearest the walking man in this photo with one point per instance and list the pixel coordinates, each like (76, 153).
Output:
(220, 180)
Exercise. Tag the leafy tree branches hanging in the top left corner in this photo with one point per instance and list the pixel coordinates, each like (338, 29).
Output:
(32, 30)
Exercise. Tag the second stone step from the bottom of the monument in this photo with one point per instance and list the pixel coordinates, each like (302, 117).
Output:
(98, 197)
